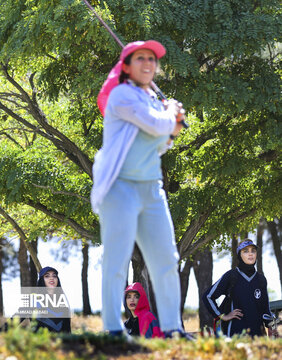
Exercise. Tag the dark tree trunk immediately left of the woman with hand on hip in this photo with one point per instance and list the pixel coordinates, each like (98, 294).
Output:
(203, 267)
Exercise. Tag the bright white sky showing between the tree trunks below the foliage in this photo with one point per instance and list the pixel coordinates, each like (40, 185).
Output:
(70, 277)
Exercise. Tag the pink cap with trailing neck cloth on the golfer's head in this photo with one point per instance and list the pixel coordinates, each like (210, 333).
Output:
(113, 77)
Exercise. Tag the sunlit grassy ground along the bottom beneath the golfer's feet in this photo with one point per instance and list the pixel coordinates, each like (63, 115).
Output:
(89, 342)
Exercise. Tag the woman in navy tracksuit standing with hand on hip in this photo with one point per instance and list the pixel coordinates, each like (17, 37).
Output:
(248, 293)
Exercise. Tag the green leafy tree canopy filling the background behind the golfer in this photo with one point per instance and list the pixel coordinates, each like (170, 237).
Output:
(223, 62)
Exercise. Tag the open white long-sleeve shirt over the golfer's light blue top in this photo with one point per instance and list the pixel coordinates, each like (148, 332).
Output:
(129, 109)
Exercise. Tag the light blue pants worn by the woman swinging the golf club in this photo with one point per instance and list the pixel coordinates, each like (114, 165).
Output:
(138, 211)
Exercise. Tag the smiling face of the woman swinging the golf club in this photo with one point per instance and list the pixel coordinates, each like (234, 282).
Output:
(142, 67)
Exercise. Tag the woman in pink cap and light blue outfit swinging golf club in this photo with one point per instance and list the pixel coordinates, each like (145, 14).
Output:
(127, 192)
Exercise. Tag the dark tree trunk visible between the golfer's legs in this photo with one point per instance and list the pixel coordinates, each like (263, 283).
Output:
(141, 274)
